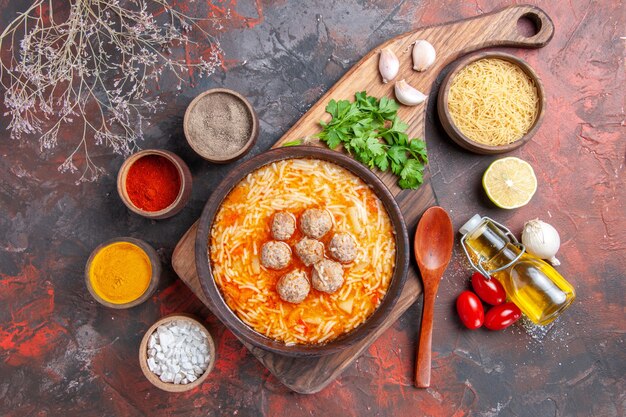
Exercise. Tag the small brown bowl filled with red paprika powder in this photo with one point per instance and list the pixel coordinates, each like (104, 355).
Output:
(154, 183)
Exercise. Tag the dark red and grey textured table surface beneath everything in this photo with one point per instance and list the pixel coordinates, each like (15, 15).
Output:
(63, 354)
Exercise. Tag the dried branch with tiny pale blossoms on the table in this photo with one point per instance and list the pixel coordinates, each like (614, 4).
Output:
(95, 68)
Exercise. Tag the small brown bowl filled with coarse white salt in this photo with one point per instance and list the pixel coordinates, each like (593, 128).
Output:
(177, 353)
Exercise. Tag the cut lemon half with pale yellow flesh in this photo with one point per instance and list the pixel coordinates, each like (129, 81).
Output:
(510, 182)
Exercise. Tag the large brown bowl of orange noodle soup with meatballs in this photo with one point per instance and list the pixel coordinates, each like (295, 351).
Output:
(302, 251)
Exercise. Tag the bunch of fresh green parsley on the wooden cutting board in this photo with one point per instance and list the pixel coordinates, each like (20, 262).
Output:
(370, 130)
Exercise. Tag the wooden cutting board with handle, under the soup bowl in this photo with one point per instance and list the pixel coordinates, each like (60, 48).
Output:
(451, 40)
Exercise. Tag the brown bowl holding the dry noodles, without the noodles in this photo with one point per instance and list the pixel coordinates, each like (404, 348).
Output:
(455, 133)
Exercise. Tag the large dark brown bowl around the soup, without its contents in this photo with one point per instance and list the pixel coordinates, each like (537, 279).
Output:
(230, 319)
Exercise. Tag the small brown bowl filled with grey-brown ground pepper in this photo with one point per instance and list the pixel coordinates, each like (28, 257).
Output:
(220, 125)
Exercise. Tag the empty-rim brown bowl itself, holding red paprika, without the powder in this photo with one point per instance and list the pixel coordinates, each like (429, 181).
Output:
(185, 184)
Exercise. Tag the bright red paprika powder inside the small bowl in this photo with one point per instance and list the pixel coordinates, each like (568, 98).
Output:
(152, 183)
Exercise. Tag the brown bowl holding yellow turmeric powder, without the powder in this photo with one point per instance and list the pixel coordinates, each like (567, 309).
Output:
(154, 279)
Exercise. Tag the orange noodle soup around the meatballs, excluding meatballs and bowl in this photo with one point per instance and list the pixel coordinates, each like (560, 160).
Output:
(242, 226)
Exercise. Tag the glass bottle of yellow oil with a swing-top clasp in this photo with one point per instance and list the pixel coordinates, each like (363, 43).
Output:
(531, 283)
